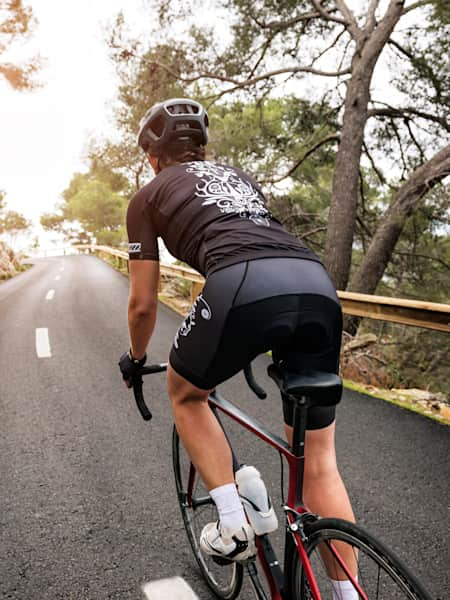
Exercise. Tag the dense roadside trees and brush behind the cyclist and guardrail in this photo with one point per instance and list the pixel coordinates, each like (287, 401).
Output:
(341, 114)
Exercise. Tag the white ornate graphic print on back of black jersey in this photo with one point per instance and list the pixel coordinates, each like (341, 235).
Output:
(222, 186)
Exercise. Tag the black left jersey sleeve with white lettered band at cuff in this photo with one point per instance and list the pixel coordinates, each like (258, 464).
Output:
(142, 235)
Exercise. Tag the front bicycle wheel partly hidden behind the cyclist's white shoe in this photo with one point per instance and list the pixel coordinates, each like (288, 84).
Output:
(225, 581)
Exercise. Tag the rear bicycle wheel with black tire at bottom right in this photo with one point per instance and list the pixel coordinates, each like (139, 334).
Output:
(381, 574)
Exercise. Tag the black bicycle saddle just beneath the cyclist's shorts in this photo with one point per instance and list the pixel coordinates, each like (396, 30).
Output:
(321, 388)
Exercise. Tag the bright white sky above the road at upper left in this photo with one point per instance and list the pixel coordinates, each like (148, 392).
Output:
(43, 133)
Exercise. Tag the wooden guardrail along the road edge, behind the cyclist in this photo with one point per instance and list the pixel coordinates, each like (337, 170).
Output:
(429, 315)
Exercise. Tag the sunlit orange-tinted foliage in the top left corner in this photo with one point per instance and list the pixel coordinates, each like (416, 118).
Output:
(16, 21)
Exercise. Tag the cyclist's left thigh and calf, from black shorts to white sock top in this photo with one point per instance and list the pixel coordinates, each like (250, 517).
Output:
(189, 380)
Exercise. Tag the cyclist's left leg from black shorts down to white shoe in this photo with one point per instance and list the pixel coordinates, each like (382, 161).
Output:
(189, 382)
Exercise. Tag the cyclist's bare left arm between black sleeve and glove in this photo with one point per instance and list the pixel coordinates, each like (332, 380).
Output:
(142, 304)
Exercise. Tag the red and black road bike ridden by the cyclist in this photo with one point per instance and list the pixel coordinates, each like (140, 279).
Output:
(316, 550)
